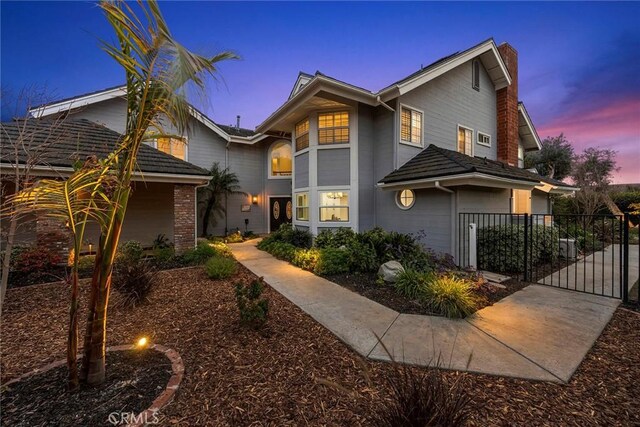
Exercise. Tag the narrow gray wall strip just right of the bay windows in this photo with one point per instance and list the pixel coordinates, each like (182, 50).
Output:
(366, 182)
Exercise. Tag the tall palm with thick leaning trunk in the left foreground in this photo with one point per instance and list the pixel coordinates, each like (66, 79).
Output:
(157, 70)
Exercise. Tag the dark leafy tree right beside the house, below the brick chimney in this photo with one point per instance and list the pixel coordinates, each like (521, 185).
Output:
(554, 159)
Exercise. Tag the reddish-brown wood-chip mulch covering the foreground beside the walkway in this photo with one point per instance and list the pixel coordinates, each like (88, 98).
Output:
(279, 376)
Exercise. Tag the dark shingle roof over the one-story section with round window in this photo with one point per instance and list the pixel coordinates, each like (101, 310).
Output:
(435, 162)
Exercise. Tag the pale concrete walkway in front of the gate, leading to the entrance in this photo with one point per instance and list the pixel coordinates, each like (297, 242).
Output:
(539, 333)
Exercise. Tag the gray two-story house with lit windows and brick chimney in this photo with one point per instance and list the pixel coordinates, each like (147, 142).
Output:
(449, 138)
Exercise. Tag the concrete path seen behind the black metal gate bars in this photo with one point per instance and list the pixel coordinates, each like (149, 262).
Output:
(598, 273)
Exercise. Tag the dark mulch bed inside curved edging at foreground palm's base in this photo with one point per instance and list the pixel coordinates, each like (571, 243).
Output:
(135, 379)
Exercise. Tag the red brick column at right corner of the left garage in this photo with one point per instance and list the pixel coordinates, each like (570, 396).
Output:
(184, 217)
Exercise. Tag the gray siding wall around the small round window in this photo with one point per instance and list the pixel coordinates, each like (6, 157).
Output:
(431, 213)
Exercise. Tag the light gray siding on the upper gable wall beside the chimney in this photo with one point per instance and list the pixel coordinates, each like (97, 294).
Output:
(449, 100)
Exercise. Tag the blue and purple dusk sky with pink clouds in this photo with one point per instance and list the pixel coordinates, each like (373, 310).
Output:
(579, 62)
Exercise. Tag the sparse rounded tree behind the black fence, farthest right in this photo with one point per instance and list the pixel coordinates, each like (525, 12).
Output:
(592, 172)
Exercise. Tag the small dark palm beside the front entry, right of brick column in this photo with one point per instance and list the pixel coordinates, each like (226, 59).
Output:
(223, 184)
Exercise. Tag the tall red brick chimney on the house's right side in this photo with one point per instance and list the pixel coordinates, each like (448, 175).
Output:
(507, 107)
